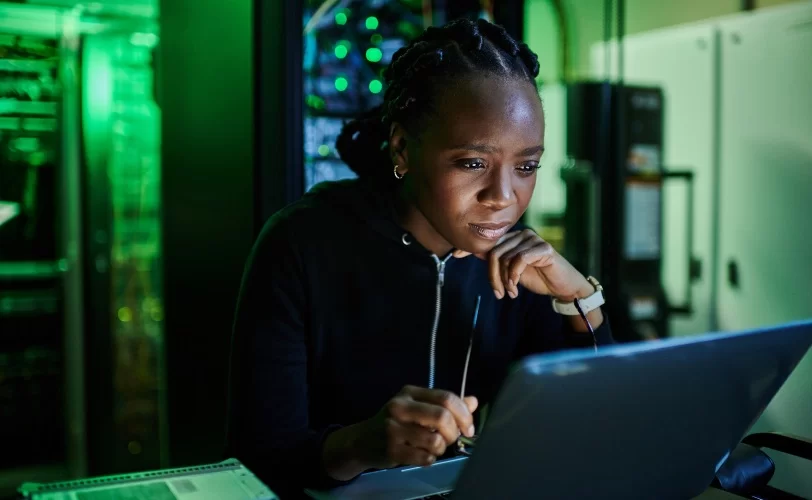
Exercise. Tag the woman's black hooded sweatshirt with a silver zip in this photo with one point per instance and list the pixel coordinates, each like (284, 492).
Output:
(340, 308)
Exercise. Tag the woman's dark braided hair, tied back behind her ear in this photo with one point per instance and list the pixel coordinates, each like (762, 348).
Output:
(413, 76)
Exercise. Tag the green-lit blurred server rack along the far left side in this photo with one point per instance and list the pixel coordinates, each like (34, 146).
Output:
(78, 330)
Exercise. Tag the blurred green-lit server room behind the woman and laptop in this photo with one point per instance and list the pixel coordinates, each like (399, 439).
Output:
(144, 143)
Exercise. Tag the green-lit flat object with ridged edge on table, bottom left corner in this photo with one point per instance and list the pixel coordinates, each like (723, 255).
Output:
(229, 479)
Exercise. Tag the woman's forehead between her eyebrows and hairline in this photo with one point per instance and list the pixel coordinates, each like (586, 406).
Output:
(497, 111)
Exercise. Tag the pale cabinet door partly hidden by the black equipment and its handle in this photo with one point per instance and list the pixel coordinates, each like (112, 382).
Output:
(681, 61)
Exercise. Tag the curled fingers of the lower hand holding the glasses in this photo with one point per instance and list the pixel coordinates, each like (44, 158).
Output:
(437, 409)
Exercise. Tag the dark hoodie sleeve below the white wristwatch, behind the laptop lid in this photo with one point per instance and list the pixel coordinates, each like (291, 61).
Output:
(545, 330)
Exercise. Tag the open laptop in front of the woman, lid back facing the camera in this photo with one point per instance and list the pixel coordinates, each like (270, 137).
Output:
(645, 420)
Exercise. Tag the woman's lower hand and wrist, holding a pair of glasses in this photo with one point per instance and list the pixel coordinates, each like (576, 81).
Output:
(413, 428)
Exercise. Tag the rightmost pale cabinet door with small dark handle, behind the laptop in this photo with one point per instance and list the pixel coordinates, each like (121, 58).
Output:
(765, 194)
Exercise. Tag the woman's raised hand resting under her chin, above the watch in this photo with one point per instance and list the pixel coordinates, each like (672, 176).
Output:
(523, 257)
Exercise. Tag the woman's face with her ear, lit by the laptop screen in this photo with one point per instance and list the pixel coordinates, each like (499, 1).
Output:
(472, 171)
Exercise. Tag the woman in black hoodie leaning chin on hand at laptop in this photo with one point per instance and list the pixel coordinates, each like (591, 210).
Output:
(358, 303)
